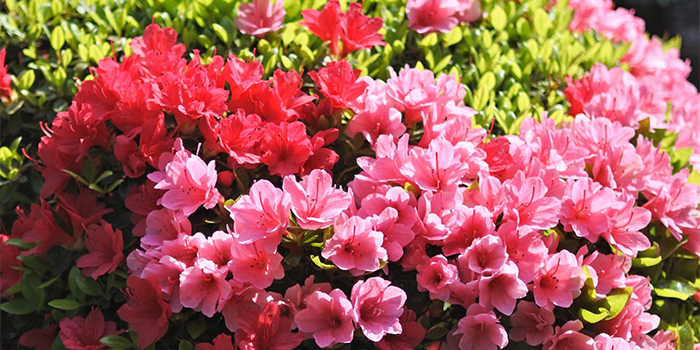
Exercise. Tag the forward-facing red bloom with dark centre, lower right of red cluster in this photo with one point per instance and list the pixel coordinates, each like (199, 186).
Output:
(286, 147)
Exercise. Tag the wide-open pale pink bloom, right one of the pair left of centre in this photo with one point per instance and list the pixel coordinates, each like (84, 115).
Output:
(315, 201)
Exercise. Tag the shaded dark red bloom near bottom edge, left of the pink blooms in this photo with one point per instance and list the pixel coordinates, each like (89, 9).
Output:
(146, 311)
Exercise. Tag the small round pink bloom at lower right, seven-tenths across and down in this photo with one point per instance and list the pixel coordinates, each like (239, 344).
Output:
(485, 255)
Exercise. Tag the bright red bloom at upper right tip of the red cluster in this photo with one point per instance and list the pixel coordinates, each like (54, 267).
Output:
(338, 82)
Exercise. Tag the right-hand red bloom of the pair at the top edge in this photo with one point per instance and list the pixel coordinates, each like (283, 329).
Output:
(359, 31)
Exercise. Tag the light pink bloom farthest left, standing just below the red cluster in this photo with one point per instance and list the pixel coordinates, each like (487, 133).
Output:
(190, 182)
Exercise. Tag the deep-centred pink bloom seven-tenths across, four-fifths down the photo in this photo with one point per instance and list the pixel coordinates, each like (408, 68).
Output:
(502, 289)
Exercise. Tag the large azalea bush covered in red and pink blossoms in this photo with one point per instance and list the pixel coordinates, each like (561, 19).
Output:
(537, 186)
